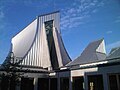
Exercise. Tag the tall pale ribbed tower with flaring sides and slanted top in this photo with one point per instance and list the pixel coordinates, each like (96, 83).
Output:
(40, 43)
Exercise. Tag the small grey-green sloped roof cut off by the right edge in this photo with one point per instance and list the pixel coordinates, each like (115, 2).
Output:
(114, 53)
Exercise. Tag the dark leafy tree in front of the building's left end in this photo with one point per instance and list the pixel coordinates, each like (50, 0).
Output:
(11, 72)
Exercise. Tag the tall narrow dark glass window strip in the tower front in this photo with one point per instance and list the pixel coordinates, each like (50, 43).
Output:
(51, 43)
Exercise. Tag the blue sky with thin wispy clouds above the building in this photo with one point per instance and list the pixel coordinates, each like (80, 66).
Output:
(81, 21)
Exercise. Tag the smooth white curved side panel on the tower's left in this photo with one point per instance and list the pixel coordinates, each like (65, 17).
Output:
(22, 42)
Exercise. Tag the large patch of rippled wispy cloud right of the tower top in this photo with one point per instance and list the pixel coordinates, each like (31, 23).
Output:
(78, 13)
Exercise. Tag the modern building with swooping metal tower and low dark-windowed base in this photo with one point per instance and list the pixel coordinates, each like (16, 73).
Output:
(46, 65)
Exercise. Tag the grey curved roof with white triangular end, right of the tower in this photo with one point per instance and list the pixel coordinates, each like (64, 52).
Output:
(95, 51)
